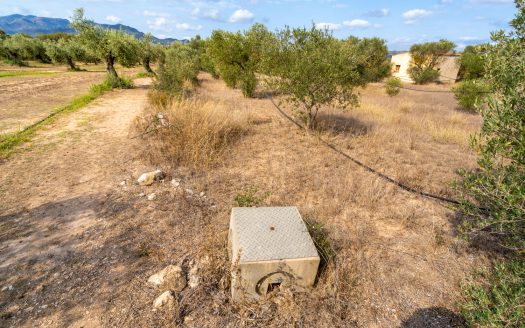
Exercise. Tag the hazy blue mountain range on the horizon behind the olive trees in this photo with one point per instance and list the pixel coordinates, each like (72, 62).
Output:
(34, 26)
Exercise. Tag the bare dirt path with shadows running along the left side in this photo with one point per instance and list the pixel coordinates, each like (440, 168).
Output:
(52, 194)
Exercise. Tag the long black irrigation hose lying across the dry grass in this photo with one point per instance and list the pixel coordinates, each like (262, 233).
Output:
(368, 168)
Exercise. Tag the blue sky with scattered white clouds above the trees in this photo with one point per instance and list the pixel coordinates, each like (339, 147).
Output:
(401, 23)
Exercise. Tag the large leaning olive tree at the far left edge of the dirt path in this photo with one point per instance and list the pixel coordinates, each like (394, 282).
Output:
(111, 46)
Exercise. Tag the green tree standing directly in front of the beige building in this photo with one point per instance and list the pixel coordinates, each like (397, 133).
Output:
(426, 58)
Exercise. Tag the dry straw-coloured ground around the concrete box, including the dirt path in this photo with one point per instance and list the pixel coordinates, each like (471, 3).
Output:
(79, 237)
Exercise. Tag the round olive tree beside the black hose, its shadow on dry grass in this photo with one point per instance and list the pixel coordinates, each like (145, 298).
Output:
(311, 69)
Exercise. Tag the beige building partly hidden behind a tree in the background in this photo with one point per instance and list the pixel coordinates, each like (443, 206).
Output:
(448, 68)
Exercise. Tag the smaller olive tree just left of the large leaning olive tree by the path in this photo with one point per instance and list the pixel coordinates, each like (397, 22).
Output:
(66, 51)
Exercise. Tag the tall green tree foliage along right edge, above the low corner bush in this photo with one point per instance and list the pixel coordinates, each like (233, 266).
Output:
(497, 185)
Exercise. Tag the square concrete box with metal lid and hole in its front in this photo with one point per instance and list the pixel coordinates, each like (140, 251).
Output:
(269, 246)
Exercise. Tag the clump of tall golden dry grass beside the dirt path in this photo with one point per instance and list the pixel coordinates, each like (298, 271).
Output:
(194, 133)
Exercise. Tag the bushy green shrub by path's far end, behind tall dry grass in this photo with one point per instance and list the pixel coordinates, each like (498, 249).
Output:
(179, 67)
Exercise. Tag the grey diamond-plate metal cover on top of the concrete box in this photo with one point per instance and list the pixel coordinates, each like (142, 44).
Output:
(269, 233)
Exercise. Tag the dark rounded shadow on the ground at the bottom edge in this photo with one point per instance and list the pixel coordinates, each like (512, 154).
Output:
(434, 317)
